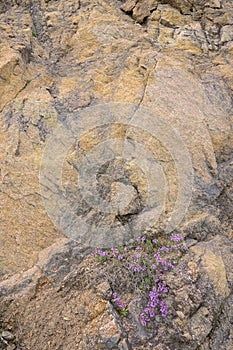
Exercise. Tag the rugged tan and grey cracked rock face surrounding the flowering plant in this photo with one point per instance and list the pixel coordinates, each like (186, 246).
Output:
(62, 58)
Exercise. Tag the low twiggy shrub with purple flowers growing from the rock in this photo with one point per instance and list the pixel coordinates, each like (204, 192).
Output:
(144, 264)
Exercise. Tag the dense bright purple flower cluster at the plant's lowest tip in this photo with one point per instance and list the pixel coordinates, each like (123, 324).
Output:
(156, 303)
